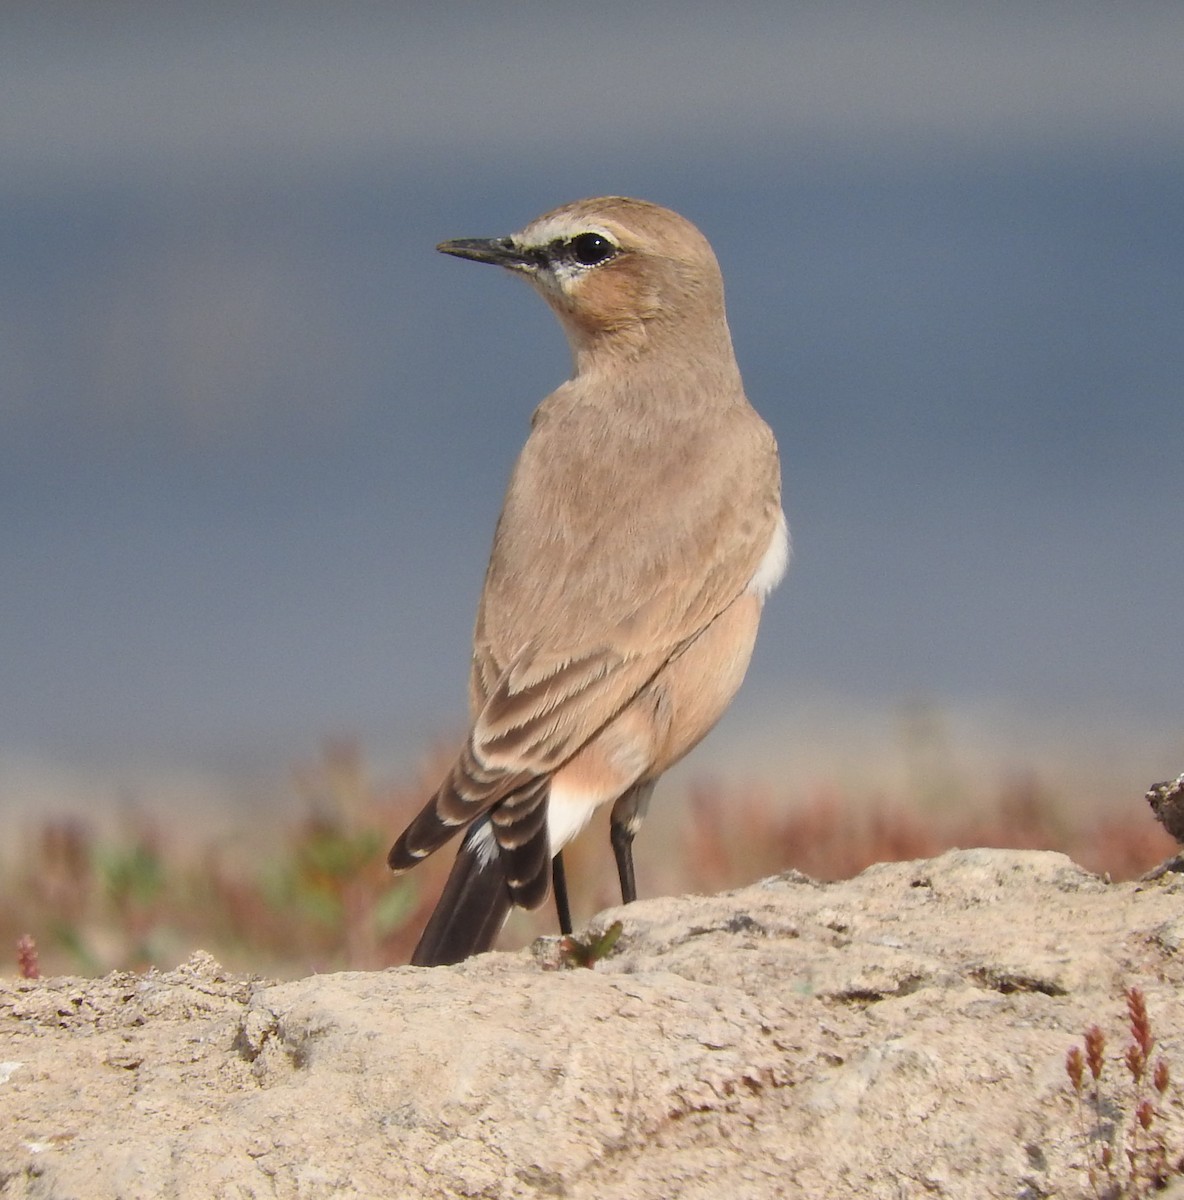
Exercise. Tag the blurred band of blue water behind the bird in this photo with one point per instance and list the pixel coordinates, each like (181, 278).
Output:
(255, 431)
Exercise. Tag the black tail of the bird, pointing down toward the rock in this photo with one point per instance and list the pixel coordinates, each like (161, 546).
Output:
(471, 913)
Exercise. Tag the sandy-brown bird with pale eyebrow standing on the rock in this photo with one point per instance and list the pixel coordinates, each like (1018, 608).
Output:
(641, 533)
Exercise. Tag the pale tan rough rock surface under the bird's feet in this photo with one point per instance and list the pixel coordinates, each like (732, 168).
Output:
(899, 1035)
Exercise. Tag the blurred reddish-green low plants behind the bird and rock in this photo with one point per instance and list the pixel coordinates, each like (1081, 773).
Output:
(318, 897)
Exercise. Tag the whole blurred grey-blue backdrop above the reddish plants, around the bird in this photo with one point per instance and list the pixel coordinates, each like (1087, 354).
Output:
(255, 431)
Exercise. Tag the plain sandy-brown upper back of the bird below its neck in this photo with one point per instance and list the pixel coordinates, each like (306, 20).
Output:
(611, 507)
